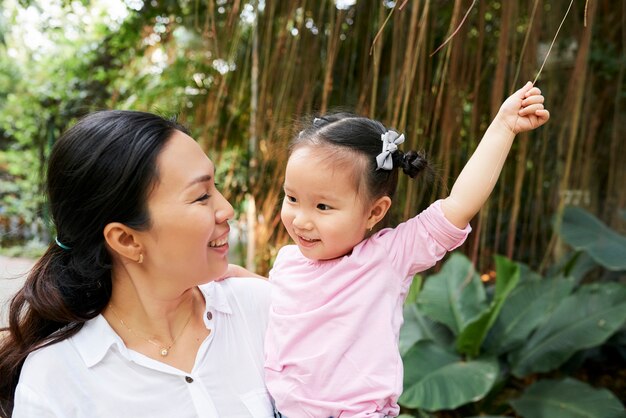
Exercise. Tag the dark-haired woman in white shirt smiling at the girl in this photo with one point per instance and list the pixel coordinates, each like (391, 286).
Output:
(121, 316)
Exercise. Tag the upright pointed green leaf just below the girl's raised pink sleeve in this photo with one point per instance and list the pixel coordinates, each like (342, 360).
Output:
(455, 295)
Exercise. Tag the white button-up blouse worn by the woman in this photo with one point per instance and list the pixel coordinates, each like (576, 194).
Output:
(93, 374)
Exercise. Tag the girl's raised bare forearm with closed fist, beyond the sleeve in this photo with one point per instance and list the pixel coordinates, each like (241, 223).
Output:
(523, 111)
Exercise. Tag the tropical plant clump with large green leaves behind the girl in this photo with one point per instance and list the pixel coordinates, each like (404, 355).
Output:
(475, 348)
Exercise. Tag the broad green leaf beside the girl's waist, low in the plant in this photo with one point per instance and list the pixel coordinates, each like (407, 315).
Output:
(436, 379)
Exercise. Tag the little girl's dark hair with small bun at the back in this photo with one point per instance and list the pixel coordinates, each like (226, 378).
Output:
(361, 136)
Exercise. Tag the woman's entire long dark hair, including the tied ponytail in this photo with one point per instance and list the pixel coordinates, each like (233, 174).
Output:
(100, 171)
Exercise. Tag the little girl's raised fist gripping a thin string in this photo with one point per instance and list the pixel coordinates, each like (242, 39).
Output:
(524, 110)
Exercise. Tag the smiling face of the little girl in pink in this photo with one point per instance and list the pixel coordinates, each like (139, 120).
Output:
(322, 211)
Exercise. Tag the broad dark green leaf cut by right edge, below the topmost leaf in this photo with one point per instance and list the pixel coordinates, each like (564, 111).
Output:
(583, 320)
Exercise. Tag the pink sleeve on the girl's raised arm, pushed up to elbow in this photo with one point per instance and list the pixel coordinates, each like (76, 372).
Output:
(417, 244)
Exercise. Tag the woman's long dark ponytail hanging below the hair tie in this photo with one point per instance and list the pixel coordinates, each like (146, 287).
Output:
(43, 312)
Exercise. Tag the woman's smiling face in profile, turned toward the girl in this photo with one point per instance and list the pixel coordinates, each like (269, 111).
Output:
(187, 243)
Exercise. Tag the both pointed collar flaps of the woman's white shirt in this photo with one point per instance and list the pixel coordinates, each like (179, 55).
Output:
(96, 337)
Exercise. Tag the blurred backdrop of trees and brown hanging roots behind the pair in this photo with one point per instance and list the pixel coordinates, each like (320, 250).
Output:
(244, 73)
